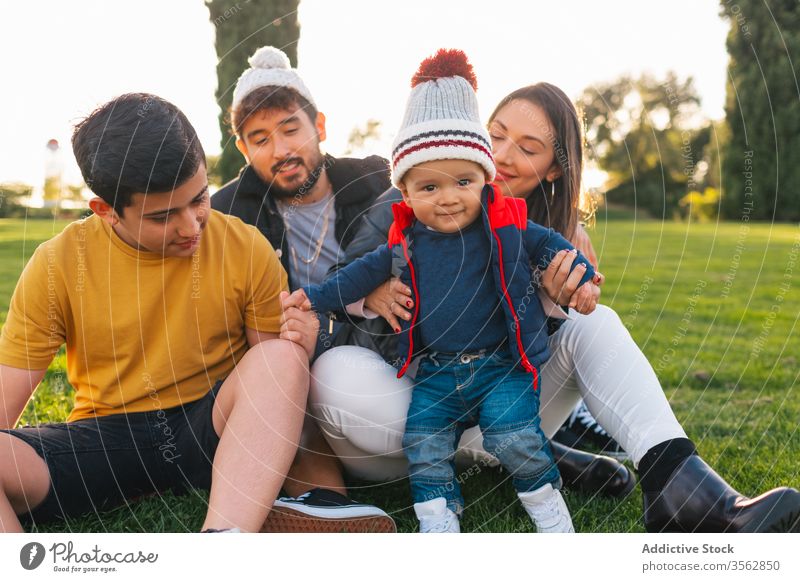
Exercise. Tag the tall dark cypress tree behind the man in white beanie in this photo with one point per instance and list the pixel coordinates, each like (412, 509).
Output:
(242, 27)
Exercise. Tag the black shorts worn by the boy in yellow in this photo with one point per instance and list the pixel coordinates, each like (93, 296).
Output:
(98, 463)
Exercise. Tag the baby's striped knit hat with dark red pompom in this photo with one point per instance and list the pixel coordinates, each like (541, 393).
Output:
(441, 120)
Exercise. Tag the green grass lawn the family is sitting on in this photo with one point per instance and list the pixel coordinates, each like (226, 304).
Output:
(713, 306)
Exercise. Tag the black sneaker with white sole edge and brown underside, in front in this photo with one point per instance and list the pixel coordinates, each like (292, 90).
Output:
(325, 511)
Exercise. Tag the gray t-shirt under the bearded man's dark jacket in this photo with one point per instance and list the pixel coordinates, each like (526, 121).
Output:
(305, 225)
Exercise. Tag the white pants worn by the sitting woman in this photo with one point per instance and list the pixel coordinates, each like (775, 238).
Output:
(361, 405)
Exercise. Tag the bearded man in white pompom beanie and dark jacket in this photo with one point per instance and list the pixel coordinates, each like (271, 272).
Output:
(309, 206)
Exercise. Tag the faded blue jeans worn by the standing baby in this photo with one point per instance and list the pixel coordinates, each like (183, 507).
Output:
(452, 394)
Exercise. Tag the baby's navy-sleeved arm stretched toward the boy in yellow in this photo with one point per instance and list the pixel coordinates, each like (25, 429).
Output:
(353, 282)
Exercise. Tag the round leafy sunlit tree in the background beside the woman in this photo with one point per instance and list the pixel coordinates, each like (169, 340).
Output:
(649, 135)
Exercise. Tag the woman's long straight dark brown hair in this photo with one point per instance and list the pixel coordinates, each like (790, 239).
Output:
(559, 210)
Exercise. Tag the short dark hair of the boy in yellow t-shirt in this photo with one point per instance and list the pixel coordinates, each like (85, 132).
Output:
(136, 144)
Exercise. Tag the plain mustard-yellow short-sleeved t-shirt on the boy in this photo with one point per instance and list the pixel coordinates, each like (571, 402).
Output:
(143, 332)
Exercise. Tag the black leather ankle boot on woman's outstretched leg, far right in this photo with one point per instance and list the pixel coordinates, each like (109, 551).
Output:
(696, 499)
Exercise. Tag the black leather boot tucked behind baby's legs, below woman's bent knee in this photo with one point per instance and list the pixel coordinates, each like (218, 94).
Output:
(591, 473)
